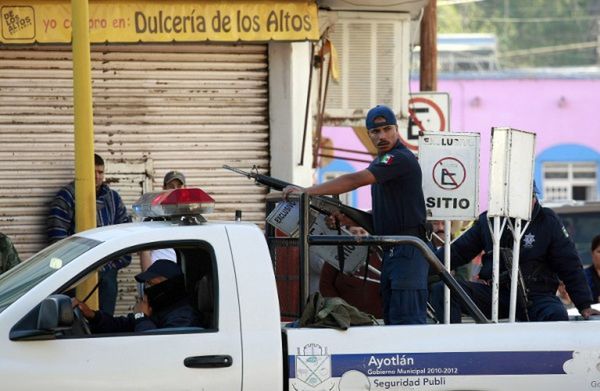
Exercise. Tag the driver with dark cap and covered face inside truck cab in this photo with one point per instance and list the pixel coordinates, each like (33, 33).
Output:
(164, 305)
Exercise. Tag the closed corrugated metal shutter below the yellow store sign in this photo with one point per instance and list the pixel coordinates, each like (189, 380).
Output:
(190, 107)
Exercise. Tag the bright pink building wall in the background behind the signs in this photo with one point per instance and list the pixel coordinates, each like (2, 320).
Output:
(559, 111)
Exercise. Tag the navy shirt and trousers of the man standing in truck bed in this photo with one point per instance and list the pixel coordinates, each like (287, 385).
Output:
(399, 209)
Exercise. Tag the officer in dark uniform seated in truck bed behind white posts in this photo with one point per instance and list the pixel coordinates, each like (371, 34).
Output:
(547, 254)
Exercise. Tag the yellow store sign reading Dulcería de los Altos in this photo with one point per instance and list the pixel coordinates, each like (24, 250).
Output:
(46, 21)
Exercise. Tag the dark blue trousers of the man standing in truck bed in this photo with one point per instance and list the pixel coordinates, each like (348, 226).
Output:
(404, 286)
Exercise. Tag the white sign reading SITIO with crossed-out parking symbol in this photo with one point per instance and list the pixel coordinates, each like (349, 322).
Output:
(450, 166)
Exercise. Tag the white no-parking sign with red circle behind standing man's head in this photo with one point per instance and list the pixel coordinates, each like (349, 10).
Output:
(428, 112)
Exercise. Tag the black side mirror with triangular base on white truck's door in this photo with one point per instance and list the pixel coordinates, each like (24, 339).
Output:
(55, 313)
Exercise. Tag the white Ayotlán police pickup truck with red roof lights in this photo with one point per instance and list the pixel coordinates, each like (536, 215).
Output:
(242, 344)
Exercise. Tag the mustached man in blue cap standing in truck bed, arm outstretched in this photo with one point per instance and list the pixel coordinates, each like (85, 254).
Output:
(398, 209)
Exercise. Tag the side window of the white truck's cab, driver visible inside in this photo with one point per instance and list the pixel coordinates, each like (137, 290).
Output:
(173, 295)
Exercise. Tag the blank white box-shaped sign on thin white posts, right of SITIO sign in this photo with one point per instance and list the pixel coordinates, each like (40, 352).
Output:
(511, 189)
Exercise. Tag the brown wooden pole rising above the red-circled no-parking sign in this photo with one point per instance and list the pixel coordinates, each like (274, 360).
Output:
(428, 79)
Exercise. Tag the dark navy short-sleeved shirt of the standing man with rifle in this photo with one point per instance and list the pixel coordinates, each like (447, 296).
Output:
(398, 202)
